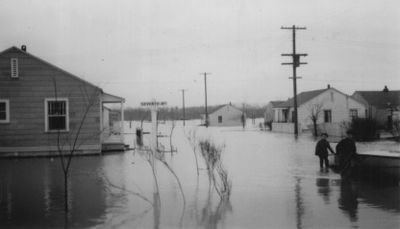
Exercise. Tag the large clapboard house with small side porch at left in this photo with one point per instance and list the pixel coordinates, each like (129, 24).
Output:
(44, 108)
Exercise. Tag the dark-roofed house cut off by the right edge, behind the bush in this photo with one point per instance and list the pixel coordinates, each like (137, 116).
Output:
(383, 106)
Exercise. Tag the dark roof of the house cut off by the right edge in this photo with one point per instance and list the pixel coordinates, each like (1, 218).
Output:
(380, 99)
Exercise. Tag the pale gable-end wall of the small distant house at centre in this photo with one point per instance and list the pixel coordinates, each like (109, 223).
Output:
(231, 116)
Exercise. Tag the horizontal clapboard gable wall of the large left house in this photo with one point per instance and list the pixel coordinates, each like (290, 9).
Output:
(26, 130)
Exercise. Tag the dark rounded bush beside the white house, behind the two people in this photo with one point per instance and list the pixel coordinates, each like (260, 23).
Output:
(364, 129)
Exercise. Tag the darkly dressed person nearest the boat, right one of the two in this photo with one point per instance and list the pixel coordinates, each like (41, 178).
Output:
(346, 151)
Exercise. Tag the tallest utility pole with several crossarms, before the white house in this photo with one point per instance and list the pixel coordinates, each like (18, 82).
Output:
(296, 63)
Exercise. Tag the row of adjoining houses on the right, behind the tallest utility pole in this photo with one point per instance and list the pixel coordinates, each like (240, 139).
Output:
(333, 110)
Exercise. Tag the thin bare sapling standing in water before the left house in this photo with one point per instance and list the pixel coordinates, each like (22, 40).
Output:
(70, 142)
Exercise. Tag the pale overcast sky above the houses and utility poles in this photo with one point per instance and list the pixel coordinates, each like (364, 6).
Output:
(144, 49)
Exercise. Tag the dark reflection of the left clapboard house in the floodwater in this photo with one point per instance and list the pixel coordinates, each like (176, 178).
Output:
(32, 194)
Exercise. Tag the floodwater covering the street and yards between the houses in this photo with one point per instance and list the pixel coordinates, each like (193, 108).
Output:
(276, 183)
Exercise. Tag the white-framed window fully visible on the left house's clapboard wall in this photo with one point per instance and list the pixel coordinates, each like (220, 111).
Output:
(57, 117)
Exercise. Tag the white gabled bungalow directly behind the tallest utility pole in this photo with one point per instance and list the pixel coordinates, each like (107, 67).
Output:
(330, 108)
